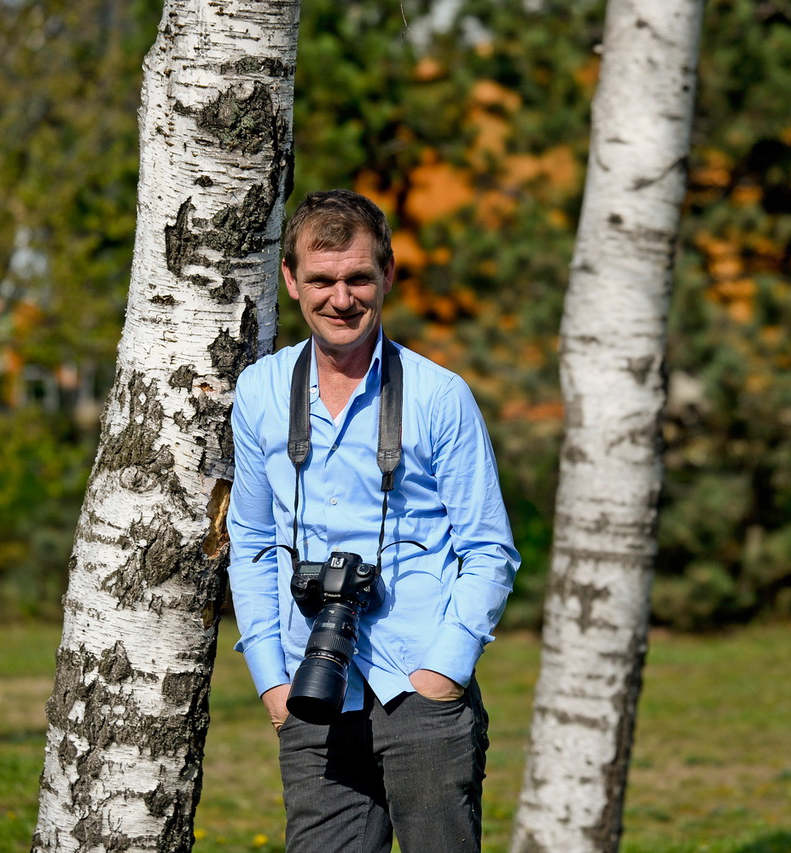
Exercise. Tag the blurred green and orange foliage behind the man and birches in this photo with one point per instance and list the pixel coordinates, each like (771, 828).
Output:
(468, 122)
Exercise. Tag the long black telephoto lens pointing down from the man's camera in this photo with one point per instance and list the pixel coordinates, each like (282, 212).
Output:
(319, 685)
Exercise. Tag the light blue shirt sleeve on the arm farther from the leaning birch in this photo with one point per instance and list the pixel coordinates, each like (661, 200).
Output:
(467, 481)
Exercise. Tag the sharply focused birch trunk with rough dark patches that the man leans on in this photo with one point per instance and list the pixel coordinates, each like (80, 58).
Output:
(129, 709)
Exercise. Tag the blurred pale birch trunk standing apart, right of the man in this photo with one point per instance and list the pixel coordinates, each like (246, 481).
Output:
(612, 374)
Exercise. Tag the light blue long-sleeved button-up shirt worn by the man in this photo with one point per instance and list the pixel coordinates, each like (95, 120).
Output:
(436, 615)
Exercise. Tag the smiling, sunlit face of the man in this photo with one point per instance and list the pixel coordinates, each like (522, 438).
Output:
(340, 292)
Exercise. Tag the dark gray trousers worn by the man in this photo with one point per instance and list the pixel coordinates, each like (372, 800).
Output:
(415, 765)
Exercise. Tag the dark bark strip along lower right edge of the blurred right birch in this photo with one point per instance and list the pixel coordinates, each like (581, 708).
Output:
(606, 833)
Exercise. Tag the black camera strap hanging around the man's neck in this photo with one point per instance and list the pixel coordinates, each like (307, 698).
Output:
(388, 452)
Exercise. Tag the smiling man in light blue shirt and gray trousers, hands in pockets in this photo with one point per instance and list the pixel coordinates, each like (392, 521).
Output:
(408, 751)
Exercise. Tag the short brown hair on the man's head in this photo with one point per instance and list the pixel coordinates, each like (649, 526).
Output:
(332, 219)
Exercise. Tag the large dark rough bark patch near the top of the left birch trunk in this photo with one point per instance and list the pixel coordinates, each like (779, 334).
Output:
(240, 123)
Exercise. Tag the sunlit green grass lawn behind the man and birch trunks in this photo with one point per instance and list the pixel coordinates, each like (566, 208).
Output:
(711, 769)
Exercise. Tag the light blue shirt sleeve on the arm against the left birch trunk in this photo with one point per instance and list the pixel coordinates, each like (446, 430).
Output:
(251, 527)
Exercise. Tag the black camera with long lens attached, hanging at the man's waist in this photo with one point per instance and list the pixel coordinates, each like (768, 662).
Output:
(335, 592)
